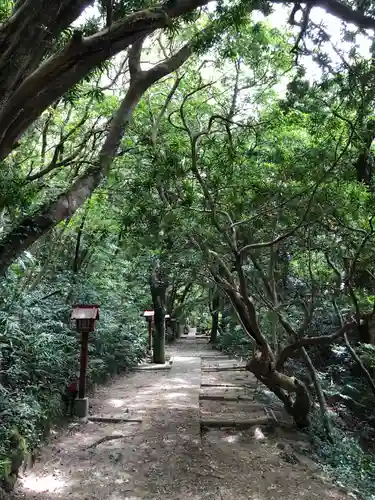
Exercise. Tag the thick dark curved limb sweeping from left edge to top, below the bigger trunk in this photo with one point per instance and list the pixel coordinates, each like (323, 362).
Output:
(61, 71)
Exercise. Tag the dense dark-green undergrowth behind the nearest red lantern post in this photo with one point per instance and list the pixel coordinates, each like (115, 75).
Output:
(39, 354)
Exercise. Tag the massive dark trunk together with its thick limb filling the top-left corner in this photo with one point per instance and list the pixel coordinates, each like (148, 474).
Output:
(29, 86)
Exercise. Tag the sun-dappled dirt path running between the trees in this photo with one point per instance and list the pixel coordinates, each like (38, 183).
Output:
(167, 455)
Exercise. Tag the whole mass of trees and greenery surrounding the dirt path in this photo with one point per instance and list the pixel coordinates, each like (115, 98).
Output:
(178, 156)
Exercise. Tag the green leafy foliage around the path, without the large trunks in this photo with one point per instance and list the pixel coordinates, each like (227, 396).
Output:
(238, 173)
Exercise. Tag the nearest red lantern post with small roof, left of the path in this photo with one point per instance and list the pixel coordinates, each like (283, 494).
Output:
(85, 316)
